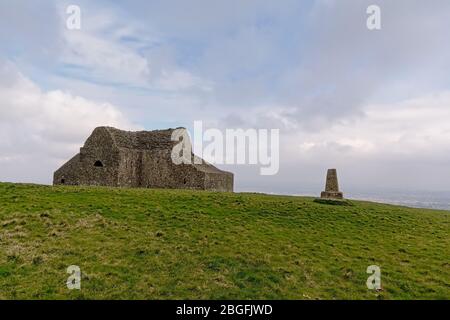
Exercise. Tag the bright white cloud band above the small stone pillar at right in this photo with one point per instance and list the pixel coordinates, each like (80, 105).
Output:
(417, 127)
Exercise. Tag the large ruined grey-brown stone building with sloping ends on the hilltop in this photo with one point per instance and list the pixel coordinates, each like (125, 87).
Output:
(116, 158)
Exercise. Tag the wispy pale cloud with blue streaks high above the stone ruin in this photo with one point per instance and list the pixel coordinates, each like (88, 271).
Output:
(108, 50)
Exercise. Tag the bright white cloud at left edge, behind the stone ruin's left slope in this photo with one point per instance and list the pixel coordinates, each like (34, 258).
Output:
(39, 130)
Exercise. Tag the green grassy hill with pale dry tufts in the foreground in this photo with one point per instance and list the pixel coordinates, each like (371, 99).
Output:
(171, 244)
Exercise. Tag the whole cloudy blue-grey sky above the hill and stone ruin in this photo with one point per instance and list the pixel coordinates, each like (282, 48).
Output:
(373, 104)
